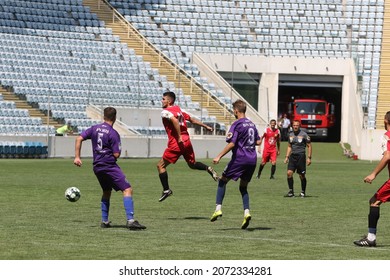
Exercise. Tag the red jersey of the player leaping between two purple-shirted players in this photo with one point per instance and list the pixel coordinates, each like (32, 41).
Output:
(175, 111)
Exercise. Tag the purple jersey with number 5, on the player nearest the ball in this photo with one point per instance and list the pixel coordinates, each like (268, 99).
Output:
(105, 142)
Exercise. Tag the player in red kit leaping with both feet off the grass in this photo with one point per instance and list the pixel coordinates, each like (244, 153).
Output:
(179, 143)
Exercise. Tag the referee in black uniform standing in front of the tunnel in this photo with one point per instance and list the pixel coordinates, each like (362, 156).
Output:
(298, 140)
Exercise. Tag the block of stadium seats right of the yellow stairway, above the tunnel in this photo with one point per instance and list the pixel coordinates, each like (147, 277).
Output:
(315, 28)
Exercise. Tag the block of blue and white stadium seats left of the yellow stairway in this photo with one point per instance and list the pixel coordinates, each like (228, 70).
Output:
(59, 57)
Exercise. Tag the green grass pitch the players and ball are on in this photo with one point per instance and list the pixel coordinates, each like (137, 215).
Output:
(37, 222)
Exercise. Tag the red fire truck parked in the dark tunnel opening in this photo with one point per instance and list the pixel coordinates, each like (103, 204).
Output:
(317, 116)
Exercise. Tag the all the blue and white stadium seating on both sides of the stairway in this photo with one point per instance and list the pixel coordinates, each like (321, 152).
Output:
(57, 52)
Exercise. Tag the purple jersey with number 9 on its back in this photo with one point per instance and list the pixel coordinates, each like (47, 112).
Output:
(243, 133)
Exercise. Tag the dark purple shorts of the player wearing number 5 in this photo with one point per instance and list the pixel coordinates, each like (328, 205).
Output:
(112, 178)
